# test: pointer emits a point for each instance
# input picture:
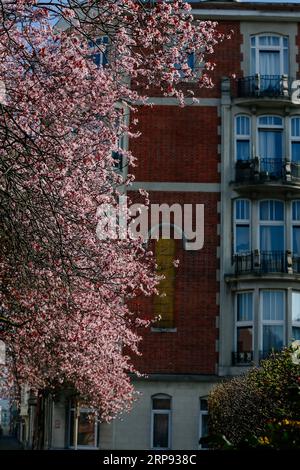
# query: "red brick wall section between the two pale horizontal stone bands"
(177, 144)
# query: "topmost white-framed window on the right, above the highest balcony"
(269, 56)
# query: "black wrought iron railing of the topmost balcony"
(258, 85)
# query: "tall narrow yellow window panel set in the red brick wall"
(164, 301)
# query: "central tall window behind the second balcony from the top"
(270, 145)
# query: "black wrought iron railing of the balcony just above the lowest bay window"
(266, 262)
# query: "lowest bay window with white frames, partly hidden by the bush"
(258, 332)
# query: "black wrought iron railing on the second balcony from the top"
(261, 170)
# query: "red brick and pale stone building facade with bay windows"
(237, 151)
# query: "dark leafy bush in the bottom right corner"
(261, 407)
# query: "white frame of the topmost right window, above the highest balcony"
(257, 47)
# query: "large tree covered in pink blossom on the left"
(65, 317)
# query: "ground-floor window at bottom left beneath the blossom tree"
(87, 433)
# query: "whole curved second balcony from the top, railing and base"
(267, 172)
